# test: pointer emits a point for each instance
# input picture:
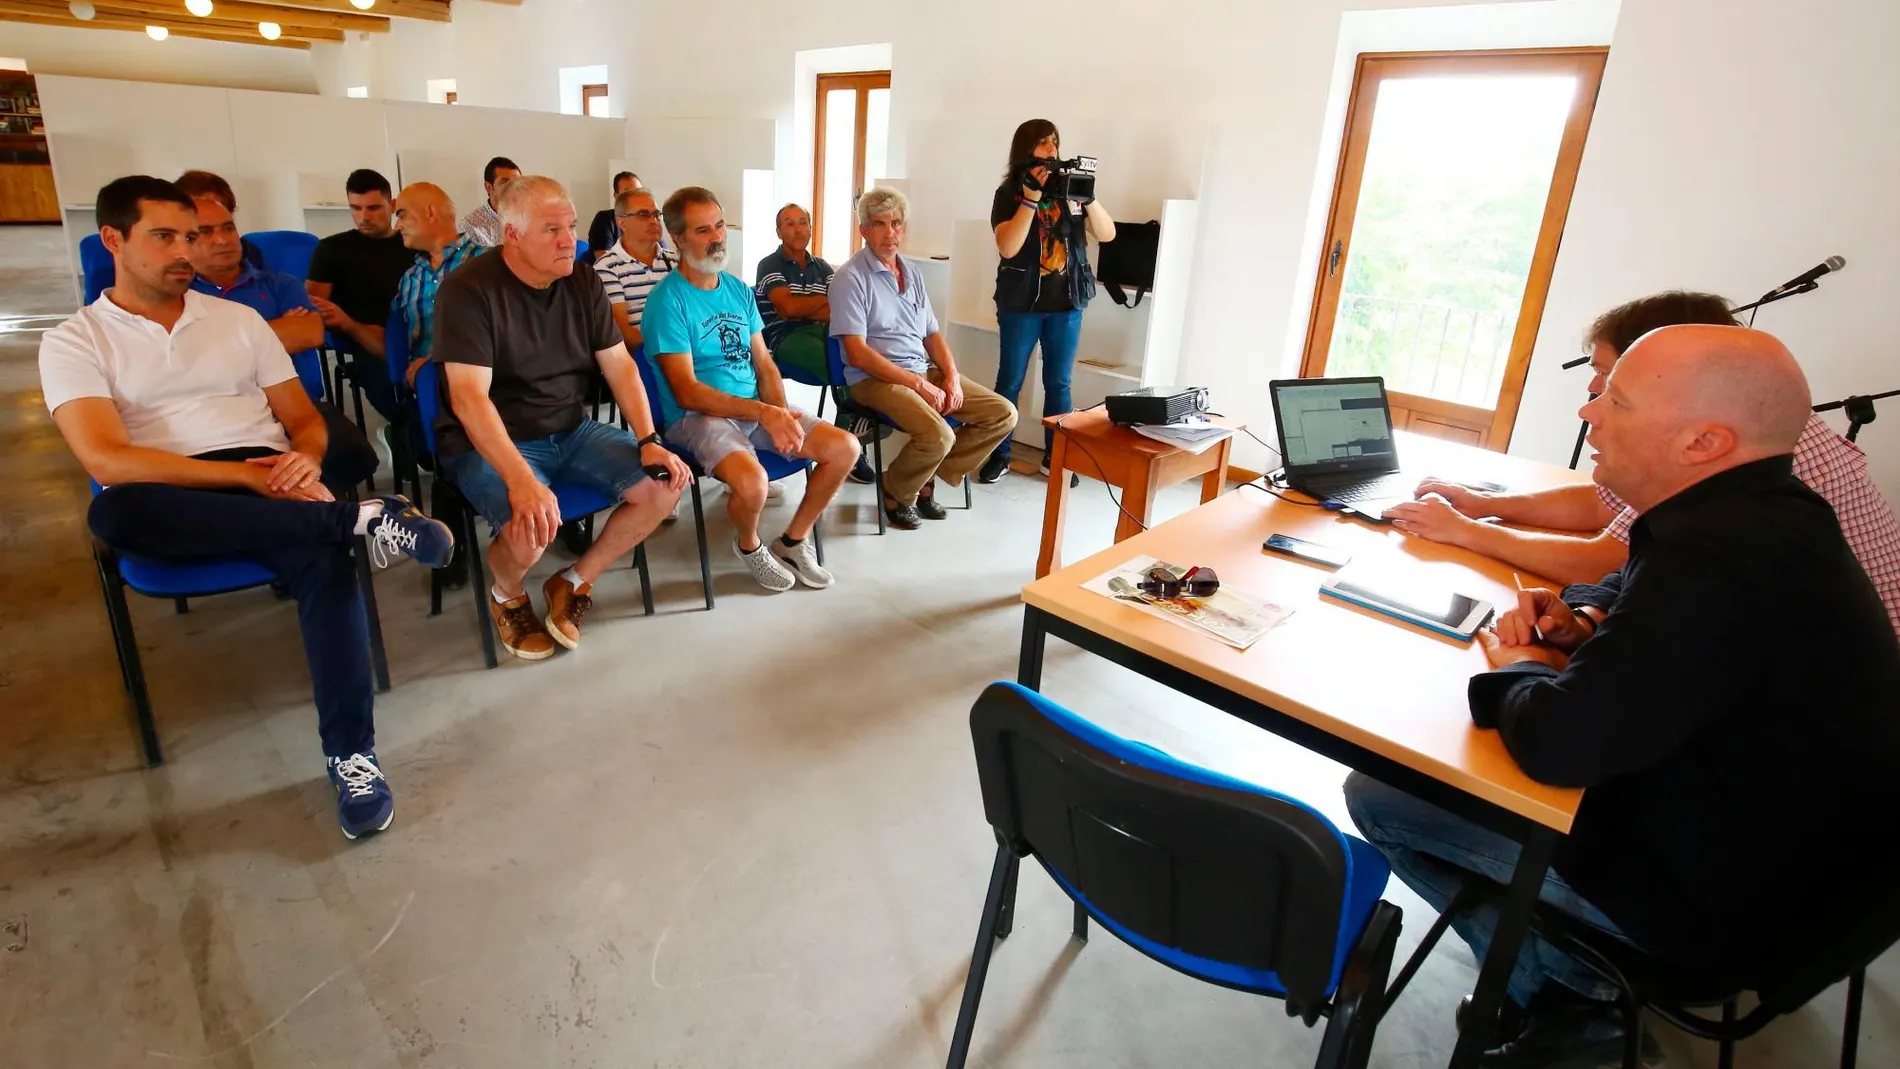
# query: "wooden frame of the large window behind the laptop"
(1587, 64)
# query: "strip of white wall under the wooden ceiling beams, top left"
(134, 56)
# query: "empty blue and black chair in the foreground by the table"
(1228, 882)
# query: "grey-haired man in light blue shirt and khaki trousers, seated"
(900, 366)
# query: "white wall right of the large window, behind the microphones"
(1736, 145)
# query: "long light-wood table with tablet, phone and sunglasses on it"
(1359, 688)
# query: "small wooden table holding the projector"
(1088, 443)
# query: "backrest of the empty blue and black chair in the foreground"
(1177, 853)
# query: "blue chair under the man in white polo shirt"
(181, 580)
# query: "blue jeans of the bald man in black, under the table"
(1437, 853)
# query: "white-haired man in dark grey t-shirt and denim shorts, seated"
(520, 333)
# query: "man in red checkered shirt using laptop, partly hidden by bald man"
(1833, 466)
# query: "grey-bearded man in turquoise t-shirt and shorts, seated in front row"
(723, 398)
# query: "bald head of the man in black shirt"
(1692, 402)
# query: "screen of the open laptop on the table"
(1335, 424)
